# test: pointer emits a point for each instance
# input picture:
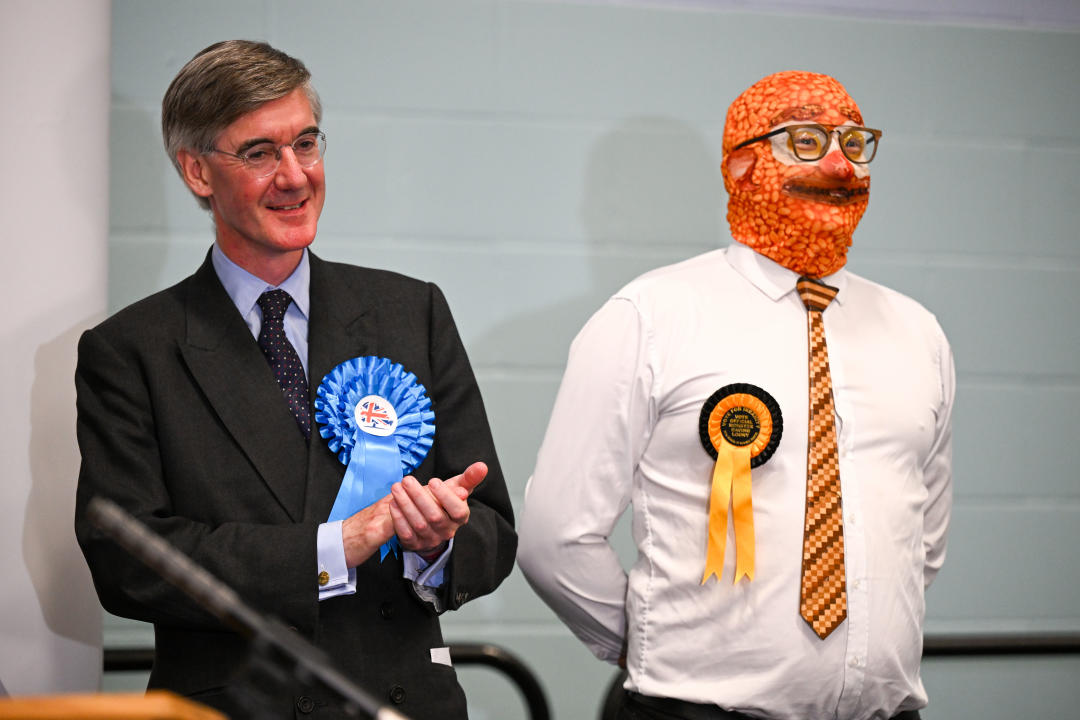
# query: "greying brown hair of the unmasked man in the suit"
(222, 84)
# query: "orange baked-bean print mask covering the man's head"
(799, 214)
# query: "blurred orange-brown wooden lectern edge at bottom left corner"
(153, 705)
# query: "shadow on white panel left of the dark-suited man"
(57, 567)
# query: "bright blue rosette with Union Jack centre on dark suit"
(379, 420)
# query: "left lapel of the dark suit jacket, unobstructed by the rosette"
(226, 362)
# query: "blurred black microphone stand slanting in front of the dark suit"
(279, 650)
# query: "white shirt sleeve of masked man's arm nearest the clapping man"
(584, 479)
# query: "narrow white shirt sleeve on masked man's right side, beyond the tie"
(938, 472)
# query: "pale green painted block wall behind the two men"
(533, 157)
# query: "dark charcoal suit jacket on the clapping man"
(182, 423)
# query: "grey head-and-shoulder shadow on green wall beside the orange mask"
(653, 196)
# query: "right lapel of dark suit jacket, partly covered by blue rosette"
(343, 327)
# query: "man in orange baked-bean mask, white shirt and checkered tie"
(782, 429)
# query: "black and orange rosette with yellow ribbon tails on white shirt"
(740, 428)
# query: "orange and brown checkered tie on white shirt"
(823, 596)
